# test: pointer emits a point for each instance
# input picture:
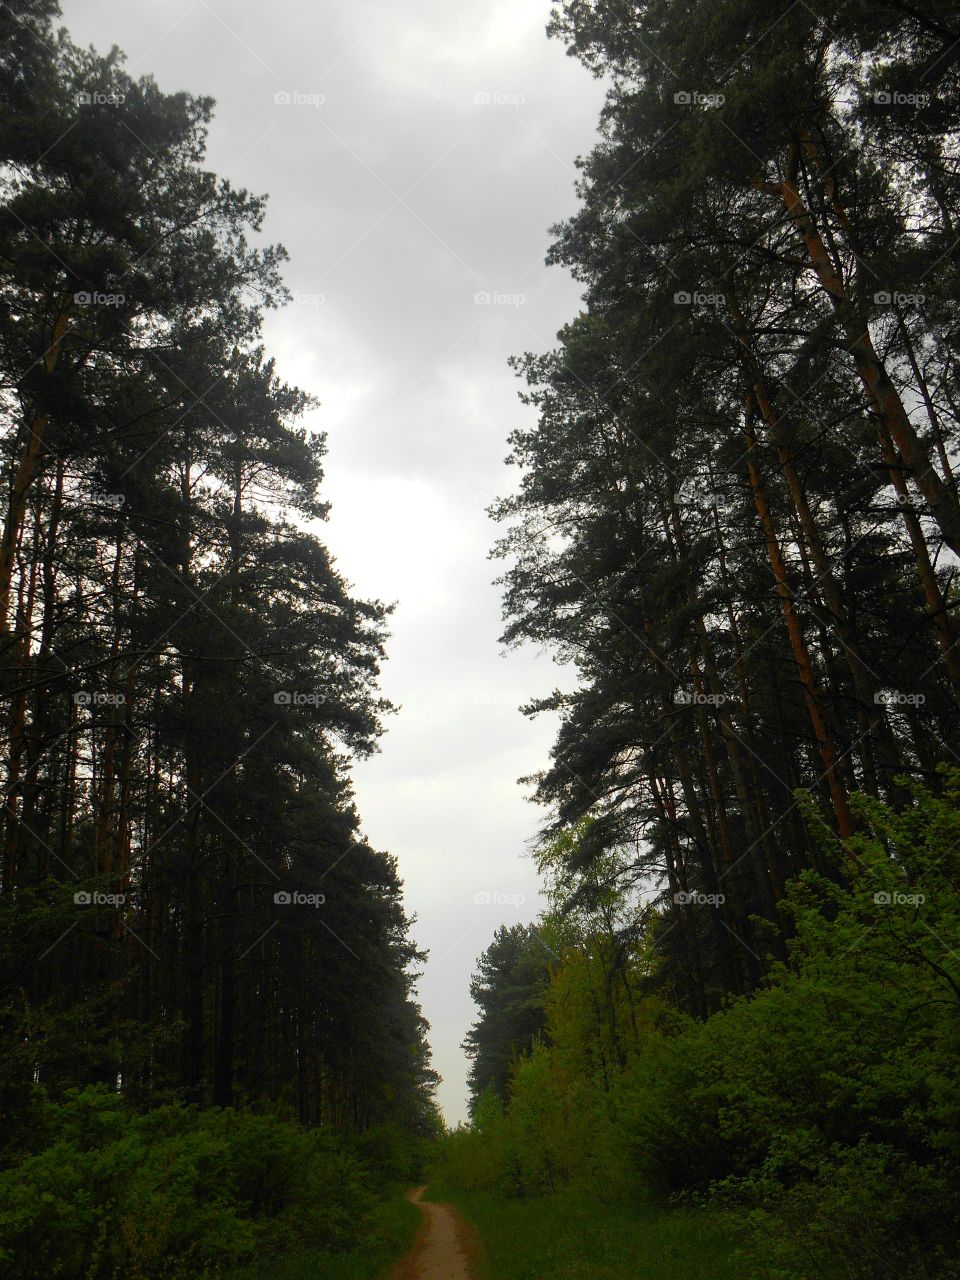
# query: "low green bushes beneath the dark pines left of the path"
(175, 1194)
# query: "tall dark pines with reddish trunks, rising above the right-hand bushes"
(739, 509)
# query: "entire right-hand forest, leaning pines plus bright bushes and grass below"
(737, 523)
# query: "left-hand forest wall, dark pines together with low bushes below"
(209, 1031)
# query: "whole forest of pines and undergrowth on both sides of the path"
(728, 1046)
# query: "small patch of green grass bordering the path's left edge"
(392, 1228)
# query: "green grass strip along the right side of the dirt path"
(565, 1237)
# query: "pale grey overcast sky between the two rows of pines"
(426, 150)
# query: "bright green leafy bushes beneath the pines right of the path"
(820, 1113)
